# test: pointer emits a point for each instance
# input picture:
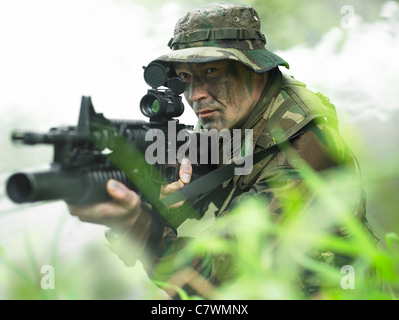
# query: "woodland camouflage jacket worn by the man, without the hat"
(285, 108)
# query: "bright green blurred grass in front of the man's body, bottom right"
(277, 258)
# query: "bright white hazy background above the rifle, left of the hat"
(54, 51)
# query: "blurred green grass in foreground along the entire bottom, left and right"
(271, 254)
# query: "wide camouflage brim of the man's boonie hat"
(259, 60)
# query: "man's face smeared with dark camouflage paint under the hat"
(222, 93)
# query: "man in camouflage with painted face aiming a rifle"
(232, 82)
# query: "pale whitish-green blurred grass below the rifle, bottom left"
(93, 272)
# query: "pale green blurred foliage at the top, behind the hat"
(289, 23)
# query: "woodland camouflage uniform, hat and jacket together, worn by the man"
(230, 31)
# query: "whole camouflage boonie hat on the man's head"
(221, 31)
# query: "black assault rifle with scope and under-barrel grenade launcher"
(86, 156)
